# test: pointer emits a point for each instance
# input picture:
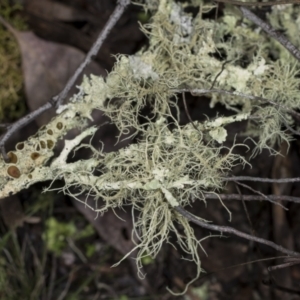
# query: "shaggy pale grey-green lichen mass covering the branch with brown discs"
(170, 164)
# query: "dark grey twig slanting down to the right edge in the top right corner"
(271, 31)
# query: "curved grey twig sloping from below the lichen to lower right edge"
(227, 229)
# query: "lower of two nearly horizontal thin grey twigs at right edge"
(250, 197)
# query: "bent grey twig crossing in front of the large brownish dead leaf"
(58, 99)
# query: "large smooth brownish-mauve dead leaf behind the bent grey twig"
(47, 66)
